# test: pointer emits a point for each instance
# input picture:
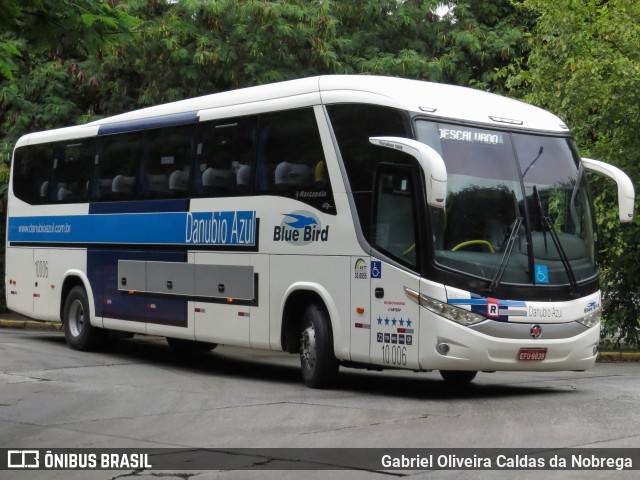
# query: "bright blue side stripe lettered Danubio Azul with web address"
(226, 228)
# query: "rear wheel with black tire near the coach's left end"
(76, 316)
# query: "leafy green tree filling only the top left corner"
(40, 42)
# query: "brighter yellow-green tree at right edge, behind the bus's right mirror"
(584, 65)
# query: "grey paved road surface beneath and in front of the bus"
(141, 395)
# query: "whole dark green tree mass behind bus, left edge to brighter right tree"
(67, 61)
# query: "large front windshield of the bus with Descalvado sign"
(518, 209)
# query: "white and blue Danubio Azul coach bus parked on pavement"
(356, 220)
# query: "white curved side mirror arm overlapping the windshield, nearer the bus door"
(432, 164)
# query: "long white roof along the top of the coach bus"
(441, 101)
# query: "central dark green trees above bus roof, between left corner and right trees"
(192, 47)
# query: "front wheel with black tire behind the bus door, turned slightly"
(317, 358)
